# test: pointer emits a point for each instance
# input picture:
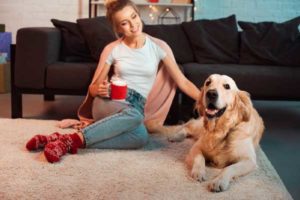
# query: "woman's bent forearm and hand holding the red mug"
(101, 85)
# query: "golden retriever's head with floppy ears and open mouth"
(220, 94)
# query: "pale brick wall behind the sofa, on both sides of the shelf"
(16, 14)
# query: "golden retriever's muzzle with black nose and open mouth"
(211, 110)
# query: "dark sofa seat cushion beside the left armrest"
(72, 76)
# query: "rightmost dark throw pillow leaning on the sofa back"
(270, 43)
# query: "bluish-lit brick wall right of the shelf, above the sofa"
(248, 10)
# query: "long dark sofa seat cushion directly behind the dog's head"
(261, 81)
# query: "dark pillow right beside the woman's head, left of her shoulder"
(97, 33)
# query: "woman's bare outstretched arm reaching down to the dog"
(182, 82)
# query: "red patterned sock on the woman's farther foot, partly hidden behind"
(39, 141)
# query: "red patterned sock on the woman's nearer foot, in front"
(66, 143)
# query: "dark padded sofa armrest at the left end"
(36, 48)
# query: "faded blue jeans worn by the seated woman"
(122, 130)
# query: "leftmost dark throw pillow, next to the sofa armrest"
(73, 48)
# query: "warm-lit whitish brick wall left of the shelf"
(16, 14)
